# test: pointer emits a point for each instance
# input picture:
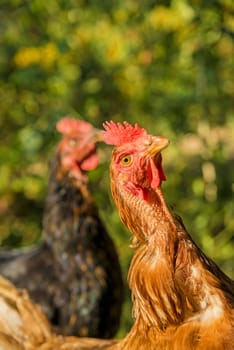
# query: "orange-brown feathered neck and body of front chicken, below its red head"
(181, 299)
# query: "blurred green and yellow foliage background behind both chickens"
(167, 65)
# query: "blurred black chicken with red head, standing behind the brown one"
(75, 273)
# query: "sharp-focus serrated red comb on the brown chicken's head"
(117, 134)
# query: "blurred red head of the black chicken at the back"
(77, 149)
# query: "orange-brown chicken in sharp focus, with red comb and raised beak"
(181, 299)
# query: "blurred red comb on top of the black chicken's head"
(68, 125)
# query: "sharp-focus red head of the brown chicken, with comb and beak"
(136, 161)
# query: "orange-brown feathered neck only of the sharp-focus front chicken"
(155, 298)
